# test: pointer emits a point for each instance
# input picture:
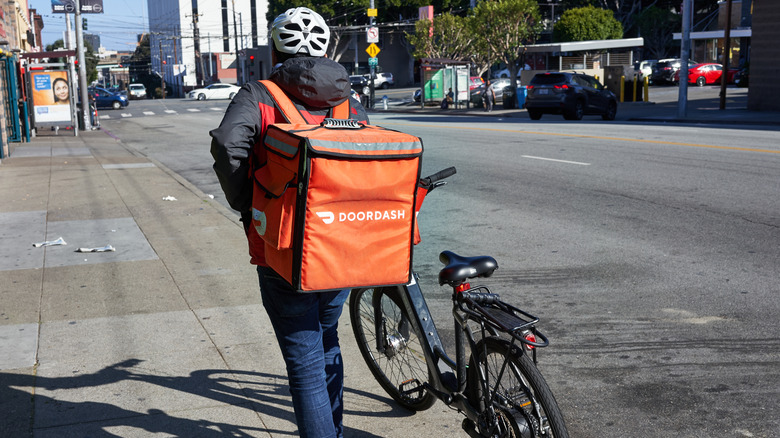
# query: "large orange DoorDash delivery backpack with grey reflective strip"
(335, 203)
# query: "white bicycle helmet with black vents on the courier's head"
(300, 30)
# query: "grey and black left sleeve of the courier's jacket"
(231, 147)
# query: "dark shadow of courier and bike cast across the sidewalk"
(29, 405)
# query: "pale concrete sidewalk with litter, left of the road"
(167, 334)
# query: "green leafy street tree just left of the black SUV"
(504, 27)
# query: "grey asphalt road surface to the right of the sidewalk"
(649, 252)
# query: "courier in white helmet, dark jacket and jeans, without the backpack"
(305, 323)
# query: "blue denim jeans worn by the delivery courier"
(306, 328)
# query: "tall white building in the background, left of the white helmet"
(197, 42)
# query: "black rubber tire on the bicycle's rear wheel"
(520, 372)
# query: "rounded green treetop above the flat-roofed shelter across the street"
(586, 24)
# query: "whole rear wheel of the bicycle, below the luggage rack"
(523, 405)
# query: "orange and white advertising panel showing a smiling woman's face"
(51, 96)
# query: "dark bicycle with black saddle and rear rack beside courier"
(499, 390)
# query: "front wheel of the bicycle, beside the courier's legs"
(403, 369)
